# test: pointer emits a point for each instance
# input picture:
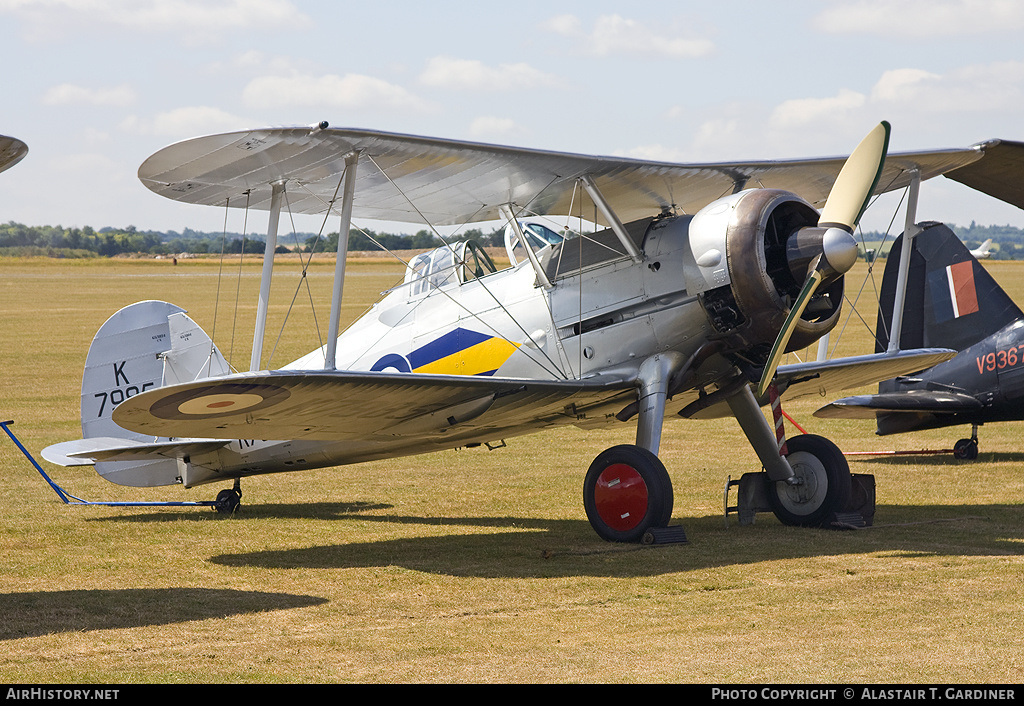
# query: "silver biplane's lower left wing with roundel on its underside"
(359, 406)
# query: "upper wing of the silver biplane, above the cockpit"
(453, 182)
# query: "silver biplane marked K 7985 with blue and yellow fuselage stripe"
(680, 305)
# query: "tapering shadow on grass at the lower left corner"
(41, 613)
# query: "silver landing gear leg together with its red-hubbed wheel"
(628, 490)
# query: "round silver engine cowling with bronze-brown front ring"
(754, 251)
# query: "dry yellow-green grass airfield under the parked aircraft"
(477, 566)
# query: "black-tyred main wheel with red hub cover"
(627, 492)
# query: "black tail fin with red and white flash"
(952, 302)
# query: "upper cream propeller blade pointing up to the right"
(857, 181)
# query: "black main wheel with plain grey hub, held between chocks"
(825, 483)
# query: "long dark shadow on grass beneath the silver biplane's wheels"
(563, 549)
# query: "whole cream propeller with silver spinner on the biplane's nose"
(840, 217)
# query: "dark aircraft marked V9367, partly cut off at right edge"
(952, 302)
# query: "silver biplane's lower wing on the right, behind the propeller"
(828, 378)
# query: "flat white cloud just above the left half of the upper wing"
(349, 92)
